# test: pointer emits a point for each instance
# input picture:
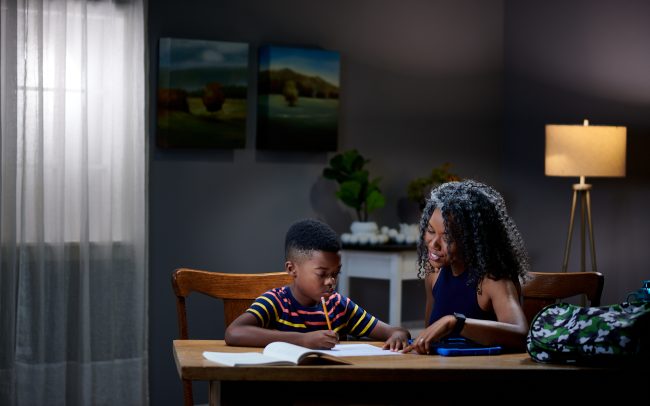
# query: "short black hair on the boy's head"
(305, 236)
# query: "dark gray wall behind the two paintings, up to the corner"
(421, 84)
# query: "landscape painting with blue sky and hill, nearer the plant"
(298, 99)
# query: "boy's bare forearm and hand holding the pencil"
(245, 331)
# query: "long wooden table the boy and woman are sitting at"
(403, 379)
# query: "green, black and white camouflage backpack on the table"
(566, 333)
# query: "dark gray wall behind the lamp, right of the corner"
(566, 61)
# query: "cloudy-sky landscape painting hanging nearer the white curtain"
(202, 90)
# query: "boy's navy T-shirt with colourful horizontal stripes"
(277, 309)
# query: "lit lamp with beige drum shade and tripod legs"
(584, 150)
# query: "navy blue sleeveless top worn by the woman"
(453, 294)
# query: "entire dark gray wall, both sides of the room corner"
(423, 82)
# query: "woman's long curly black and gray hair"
(475, 218)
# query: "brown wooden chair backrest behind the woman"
(544, 288)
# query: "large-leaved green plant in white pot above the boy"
(356, 190)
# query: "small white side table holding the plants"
(395, 265)
